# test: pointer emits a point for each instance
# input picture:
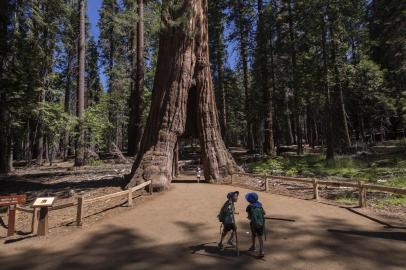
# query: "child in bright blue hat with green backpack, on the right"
(256, 215)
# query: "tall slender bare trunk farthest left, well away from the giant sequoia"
(80, 140)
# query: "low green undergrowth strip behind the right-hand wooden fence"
(383, 169)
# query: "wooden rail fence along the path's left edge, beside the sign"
(82, 202)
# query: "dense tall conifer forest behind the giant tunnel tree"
(309, 74)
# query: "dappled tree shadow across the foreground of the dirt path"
(324, 244)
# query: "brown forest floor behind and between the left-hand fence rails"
(65, 183)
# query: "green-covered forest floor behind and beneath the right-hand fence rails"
(382, 164)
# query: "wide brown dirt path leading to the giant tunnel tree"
(178, 230)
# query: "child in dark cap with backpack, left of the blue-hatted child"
(226, 217)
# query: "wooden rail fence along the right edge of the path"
(360, 185)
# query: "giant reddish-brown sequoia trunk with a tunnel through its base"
(183, 73)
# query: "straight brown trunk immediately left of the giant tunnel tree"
(137, 84)
